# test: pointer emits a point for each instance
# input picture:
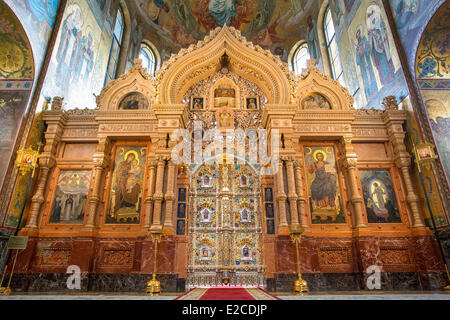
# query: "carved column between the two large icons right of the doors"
(349, 162)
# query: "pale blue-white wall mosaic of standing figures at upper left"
(79, 60)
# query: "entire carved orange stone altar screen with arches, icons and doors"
(107, 179)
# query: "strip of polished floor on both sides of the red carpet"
(361, 295)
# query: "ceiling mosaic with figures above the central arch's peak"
(273, 24)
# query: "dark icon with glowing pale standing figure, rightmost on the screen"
(379, 196)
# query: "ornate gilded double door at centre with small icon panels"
(225, 234)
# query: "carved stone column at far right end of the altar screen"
(394, 120)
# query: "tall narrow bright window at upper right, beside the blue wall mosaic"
(332, 48)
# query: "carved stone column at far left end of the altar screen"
(55, 120)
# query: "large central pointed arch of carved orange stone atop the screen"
(203, 59)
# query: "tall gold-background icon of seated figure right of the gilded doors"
(323, 185)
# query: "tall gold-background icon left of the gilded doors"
(127, 185)
